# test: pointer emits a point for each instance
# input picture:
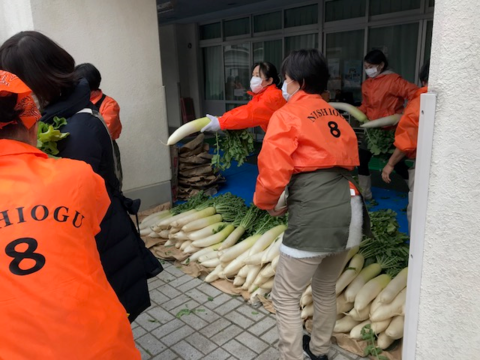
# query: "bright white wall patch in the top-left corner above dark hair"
(15, 16)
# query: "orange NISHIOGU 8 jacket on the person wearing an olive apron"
(305, 135)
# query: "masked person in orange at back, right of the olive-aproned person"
(384, 94)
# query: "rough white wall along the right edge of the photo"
(449, 316)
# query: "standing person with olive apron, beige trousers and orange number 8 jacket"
(311, 148)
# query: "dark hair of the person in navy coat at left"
(44, 66)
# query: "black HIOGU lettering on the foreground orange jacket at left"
(39, 213)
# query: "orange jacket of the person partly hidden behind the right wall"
(407, 128)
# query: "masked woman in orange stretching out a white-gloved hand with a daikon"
(267, 98)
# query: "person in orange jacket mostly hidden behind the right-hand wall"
(406, 139)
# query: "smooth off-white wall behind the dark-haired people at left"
(120, 37)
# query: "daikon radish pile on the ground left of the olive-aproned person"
(240, 244)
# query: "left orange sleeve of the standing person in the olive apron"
(275, 163)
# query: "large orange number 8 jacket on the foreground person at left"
(55, 300)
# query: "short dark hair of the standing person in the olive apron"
(309, 68)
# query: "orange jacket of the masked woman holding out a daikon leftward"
(256, 113)
